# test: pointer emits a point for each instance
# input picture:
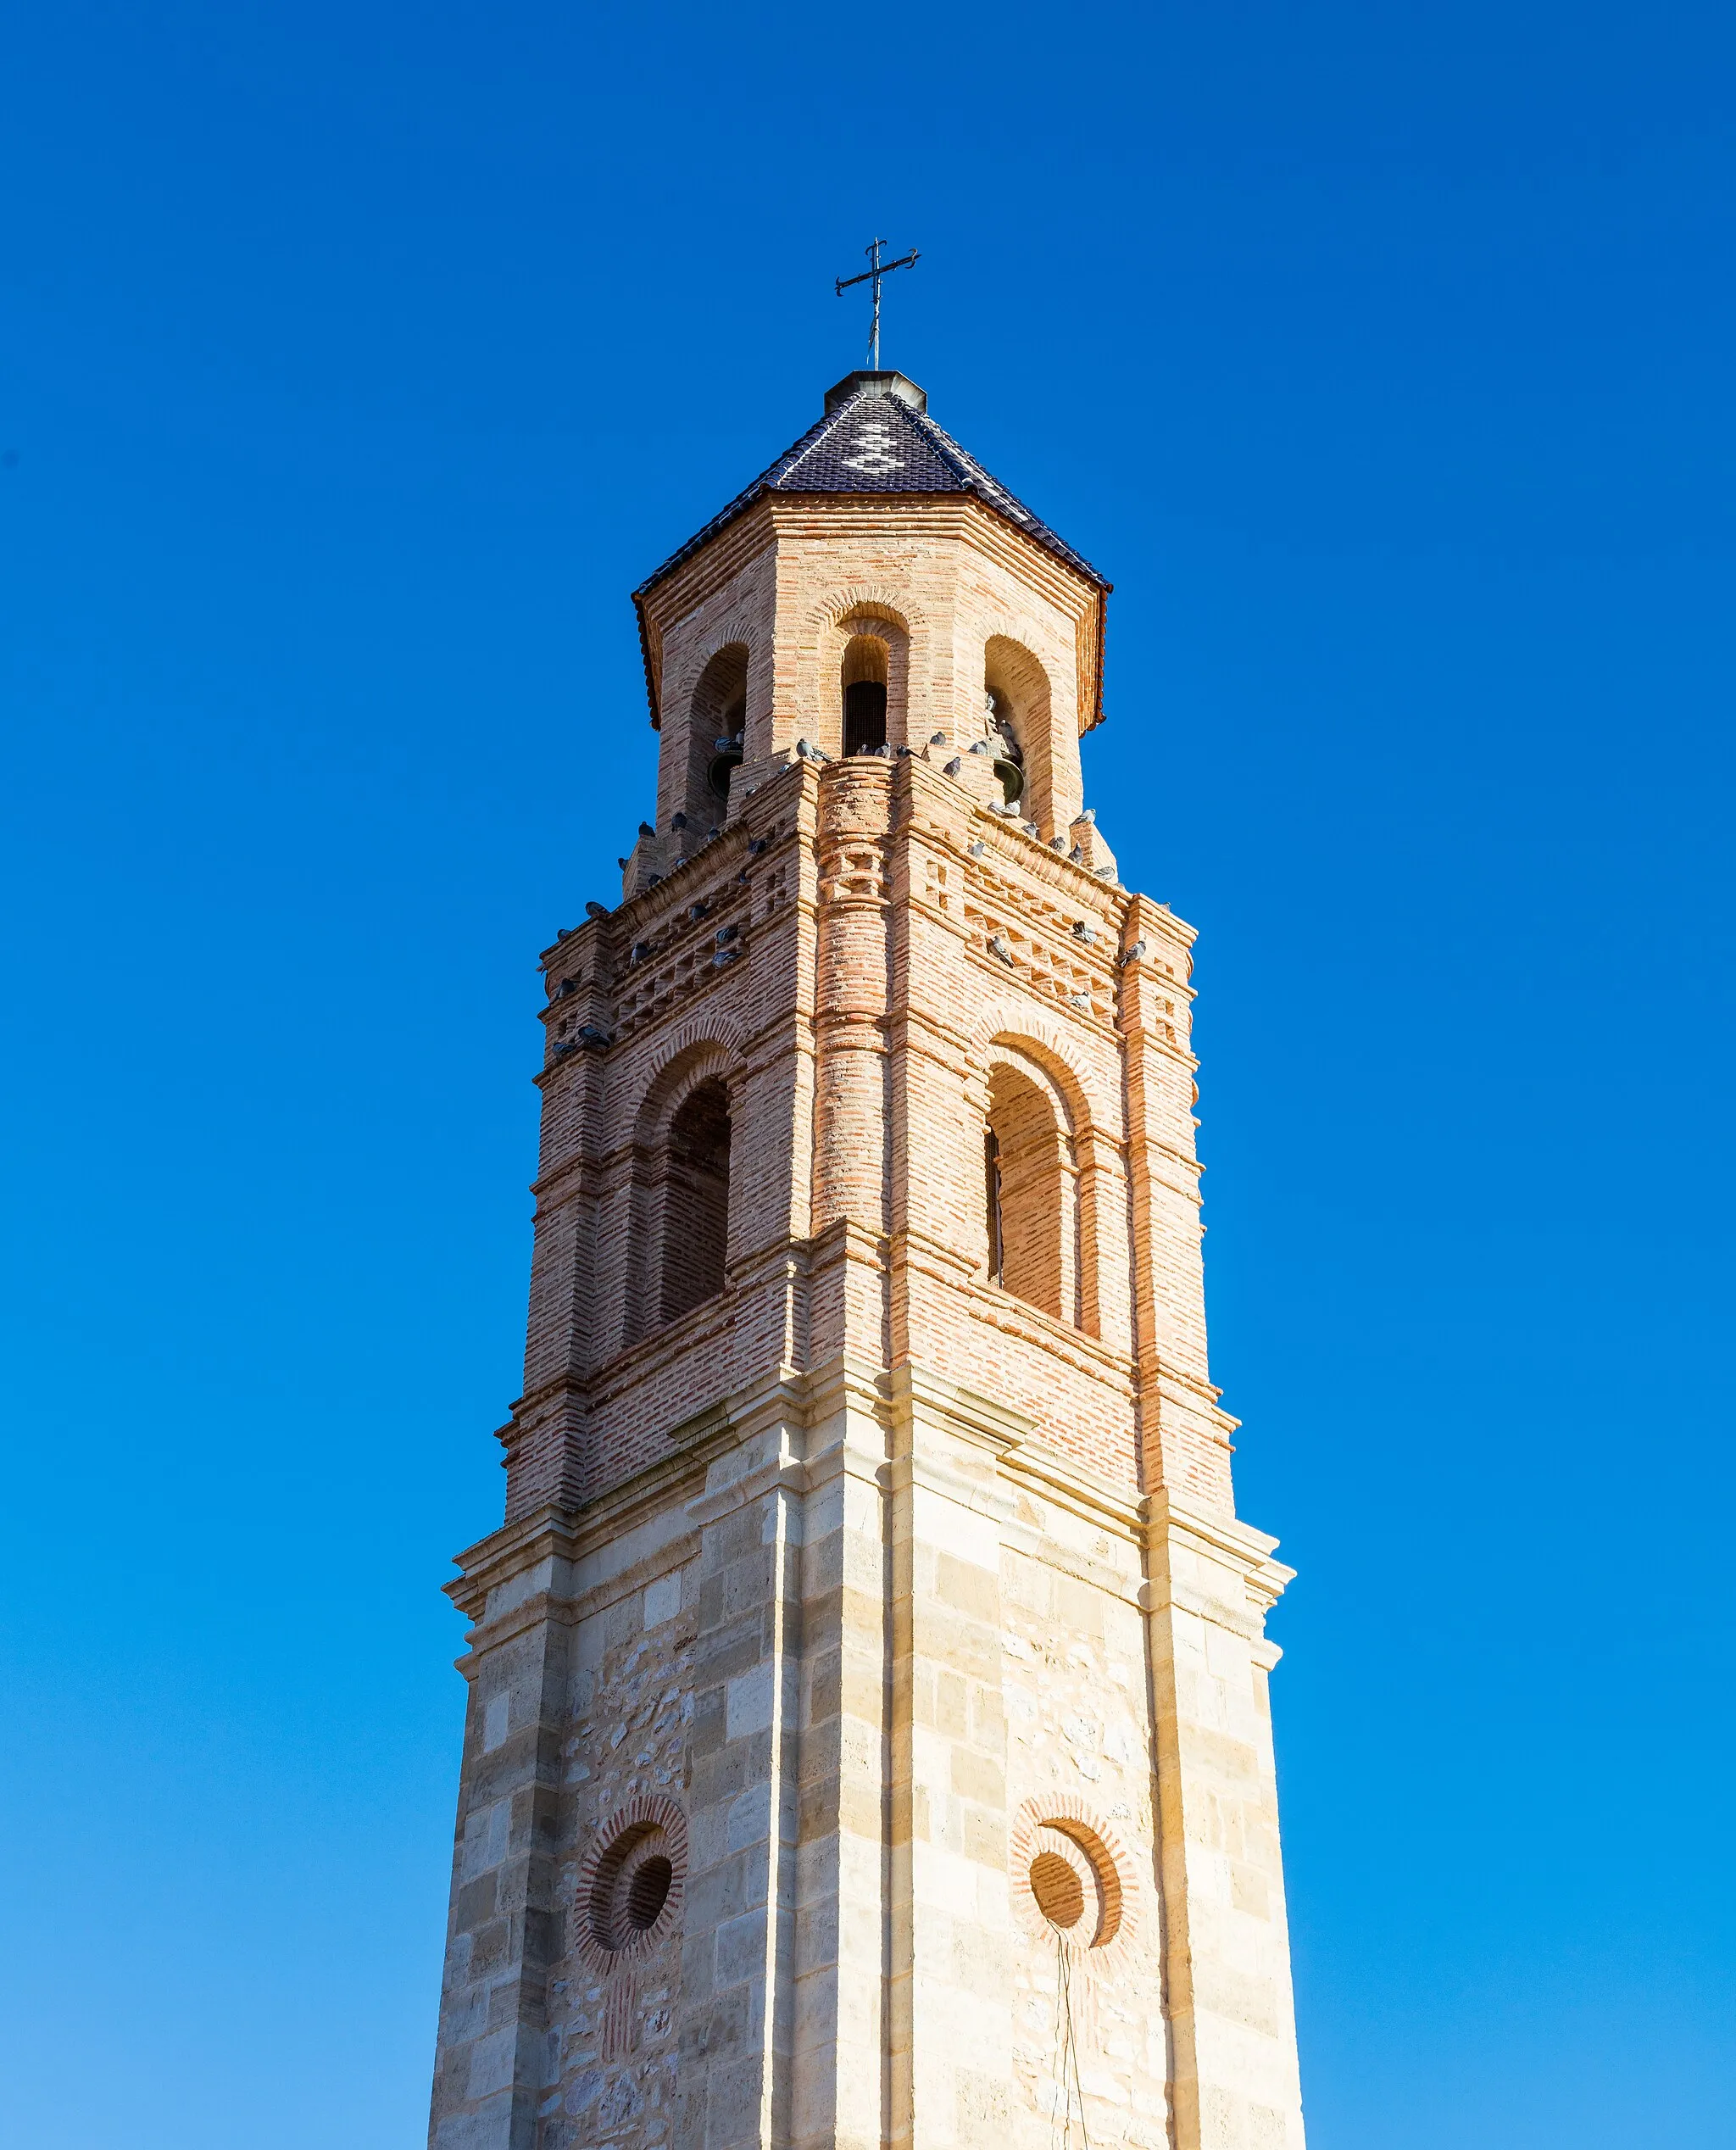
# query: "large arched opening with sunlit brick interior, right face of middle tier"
(1028, 1188)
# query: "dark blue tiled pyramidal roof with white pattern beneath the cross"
(878, 438)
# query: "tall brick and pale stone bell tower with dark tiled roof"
(869, 1734)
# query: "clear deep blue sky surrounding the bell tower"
(353, 367)
